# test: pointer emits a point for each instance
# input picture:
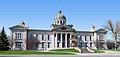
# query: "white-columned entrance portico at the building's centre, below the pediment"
(62, 40)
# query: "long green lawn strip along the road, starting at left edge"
(32, 52)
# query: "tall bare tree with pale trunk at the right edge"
(114, 28)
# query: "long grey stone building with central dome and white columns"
(60, 35)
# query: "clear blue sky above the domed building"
(39, 14)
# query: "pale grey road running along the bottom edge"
(82, 55)
